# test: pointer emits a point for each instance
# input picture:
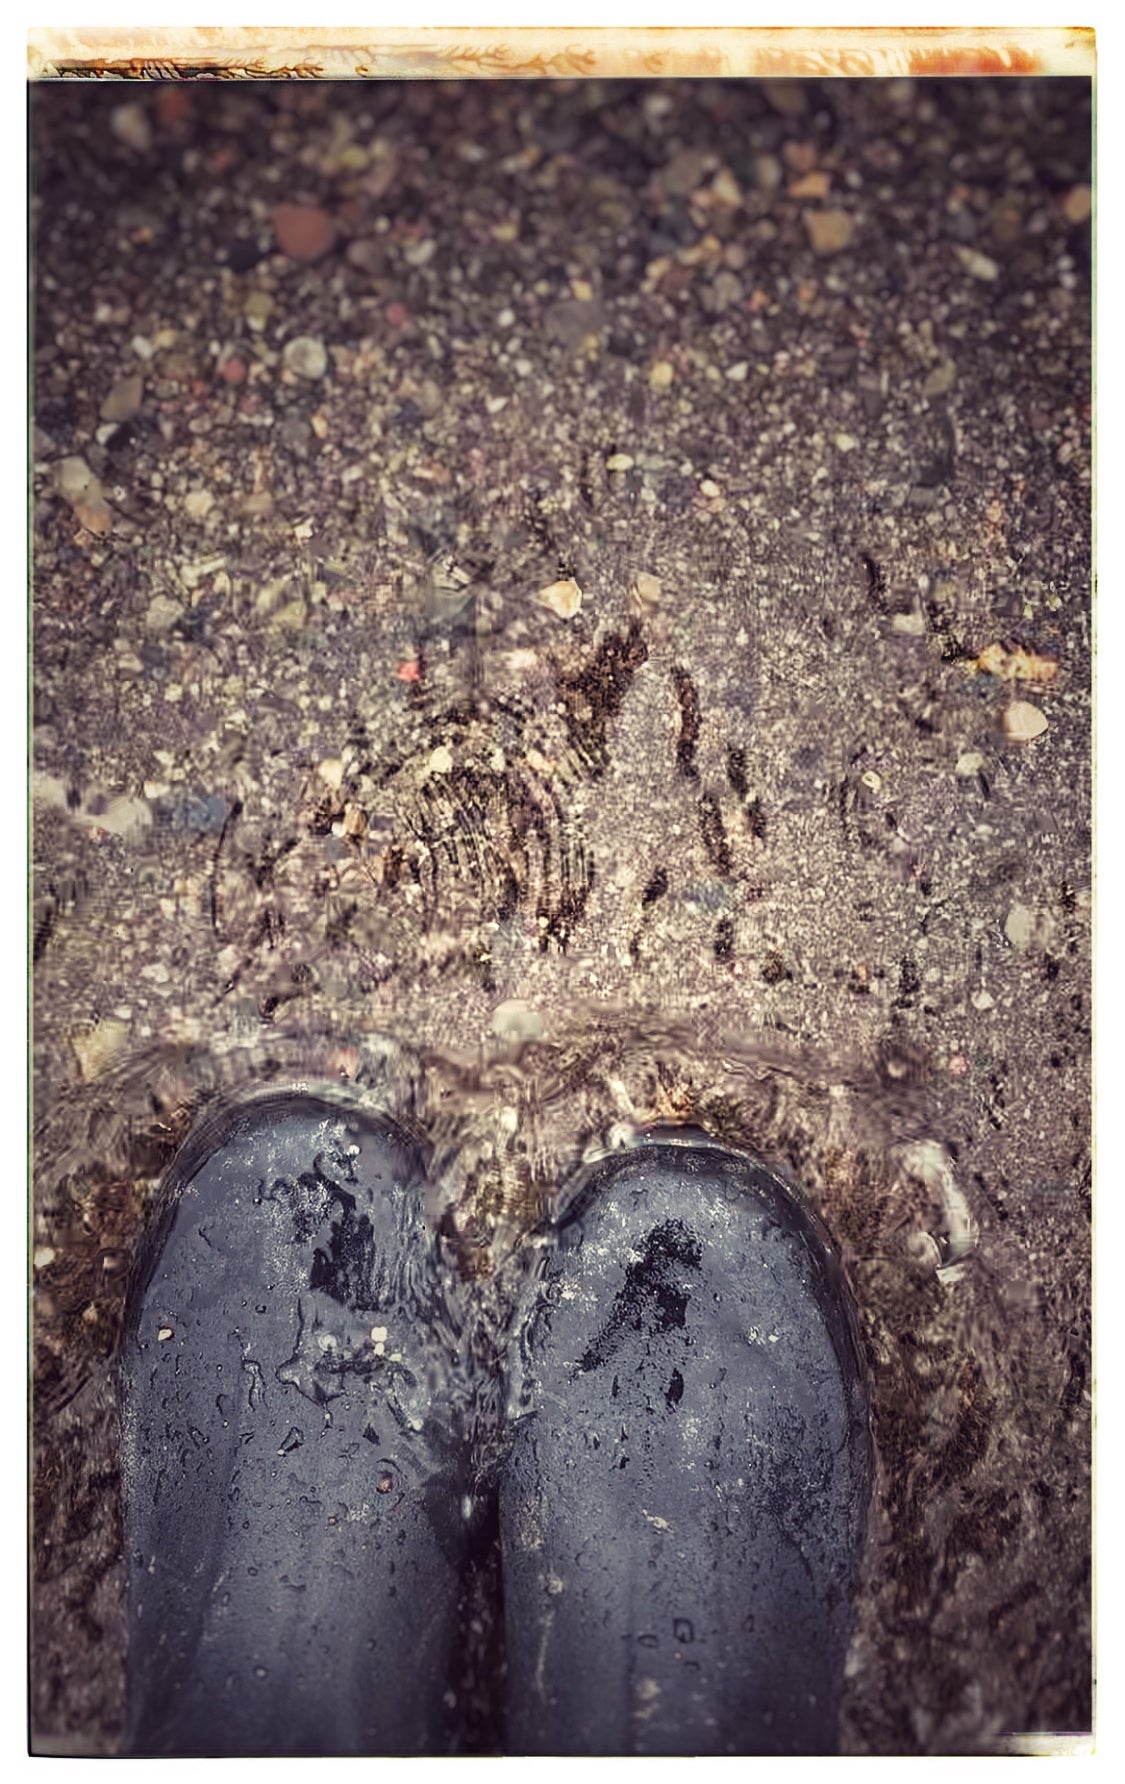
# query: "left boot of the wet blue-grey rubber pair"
(290, 1453)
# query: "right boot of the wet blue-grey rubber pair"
(686, 1503)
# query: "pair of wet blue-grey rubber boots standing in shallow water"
(677, 1457)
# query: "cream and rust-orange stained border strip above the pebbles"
(265, 53)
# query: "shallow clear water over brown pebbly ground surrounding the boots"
(709, 852)
